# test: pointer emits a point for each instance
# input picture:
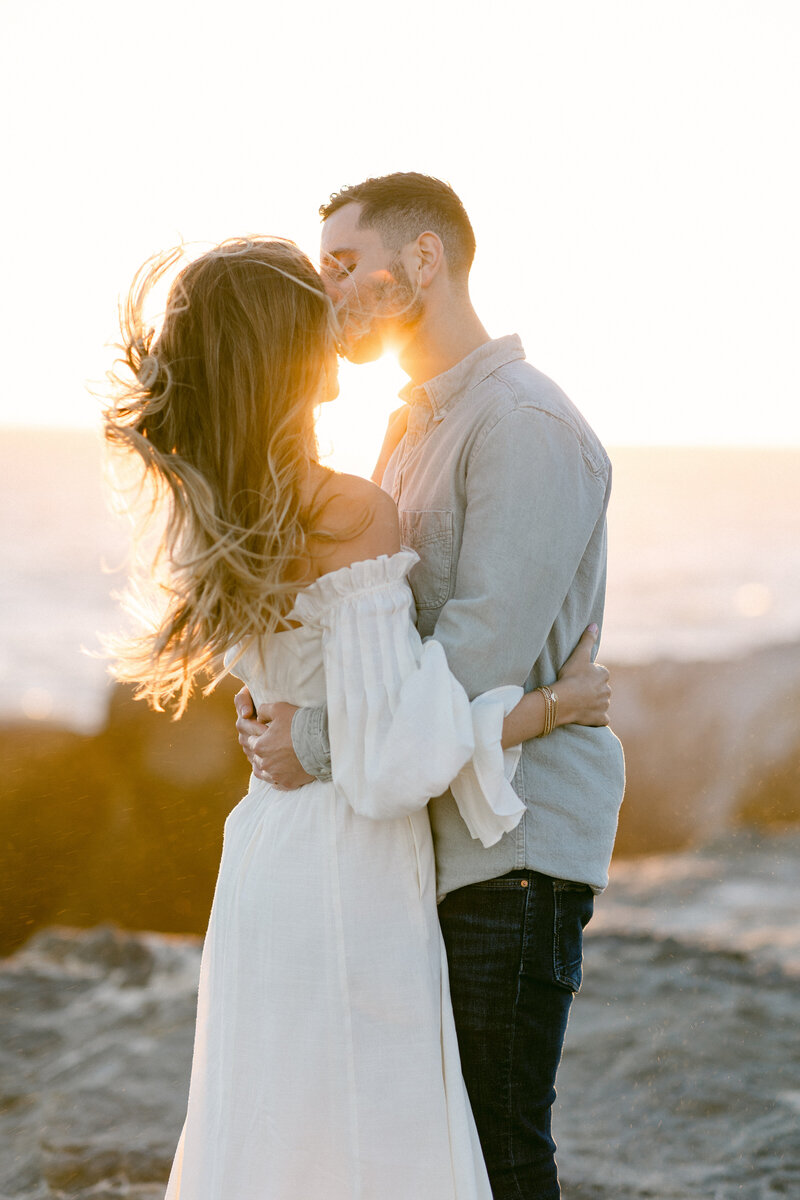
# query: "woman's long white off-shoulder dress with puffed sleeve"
(326, 1058)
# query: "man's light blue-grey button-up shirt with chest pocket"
(503, 490)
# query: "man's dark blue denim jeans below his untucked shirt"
(515, 953)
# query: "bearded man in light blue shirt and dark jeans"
(503, 491)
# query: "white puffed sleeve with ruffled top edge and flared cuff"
(401, 725)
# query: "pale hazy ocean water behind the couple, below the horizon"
(705, 563)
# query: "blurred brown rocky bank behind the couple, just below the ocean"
(128, 826)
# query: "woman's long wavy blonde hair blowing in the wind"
(219, 407)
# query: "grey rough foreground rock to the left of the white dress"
(97, 1082)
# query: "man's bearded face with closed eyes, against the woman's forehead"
(370, 286)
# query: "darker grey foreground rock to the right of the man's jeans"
(678, 1079)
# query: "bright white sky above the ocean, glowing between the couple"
(630, 169)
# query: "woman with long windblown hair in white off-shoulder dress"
(326, 1059)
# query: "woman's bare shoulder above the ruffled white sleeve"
(357, 521)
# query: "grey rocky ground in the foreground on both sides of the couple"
(679, 1077)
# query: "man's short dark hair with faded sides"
(406, 205)
